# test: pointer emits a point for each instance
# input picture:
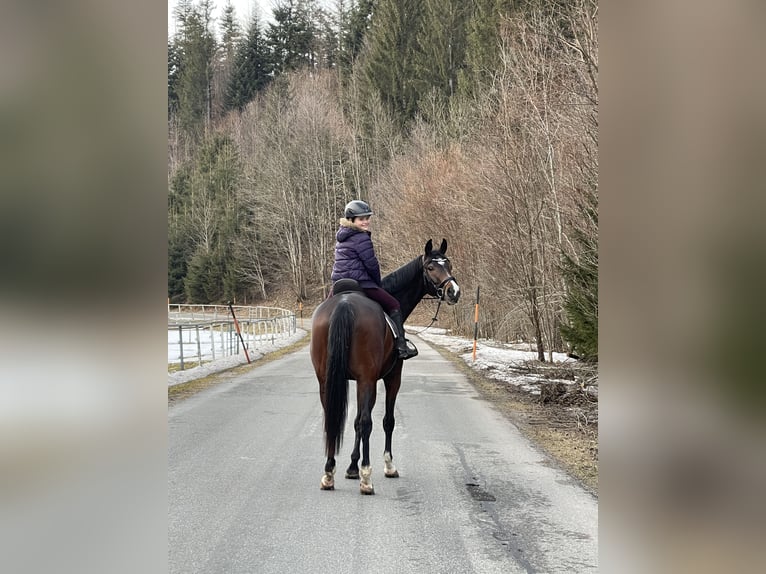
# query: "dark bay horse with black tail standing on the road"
(350, 339)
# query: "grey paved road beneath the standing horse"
(245, 460)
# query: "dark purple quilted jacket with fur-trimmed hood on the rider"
(355, 256)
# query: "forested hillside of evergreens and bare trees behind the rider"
(470, 120)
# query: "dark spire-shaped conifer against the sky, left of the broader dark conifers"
(251, 71)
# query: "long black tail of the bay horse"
(338, 346)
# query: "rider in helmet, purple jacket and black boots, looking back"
(355, 259)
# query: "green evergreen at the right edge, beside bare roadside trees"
(581, 277)
